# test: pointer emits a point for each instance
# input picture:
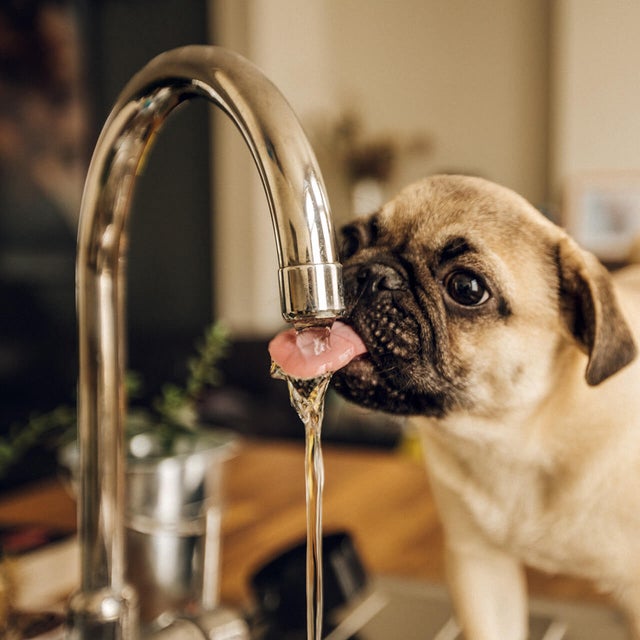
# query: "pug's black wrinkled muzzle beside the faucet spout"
(399, 372)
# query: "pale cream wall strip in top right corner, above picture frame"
(596, 107)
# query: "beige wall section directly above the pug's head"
(473, 75)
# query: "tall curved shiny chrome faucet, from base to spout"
(105, 606)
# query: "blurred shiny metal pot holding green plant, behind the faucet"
(173, 520)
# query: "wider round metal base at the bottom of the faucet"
(103, 615)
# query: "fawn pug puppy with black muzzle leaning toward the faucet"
(514, 352)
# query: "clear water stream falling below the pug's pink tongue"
(307, 398)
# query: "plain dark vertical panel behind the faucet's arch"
(169, 285)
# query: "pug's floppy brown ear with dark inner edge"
(591, 311)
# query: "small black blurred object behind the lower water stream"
(280, 586)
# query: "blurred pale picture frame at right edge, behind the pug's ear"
(602, 213)
